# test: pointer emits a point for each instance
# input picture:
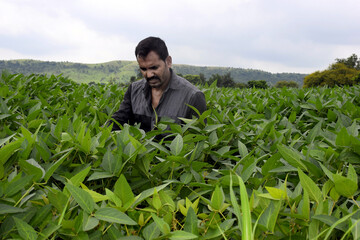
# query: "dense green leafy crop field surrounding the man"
(266, 164)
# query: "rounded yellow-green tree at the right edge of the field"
(338, 74)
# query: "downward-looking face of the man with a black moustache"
(155, 71)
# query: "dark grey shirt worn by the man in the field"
(136, 106)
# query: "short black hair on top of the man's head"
(149, 44)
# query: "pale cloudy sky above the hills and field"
(276, 36)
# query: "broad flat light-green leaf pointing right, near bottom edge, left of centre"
(113, 215)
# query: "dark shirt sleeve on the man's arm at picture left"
(125, 113)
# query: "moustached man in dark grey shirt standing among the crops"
(160, 93)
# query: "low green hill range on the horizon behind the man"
(122, 71)
